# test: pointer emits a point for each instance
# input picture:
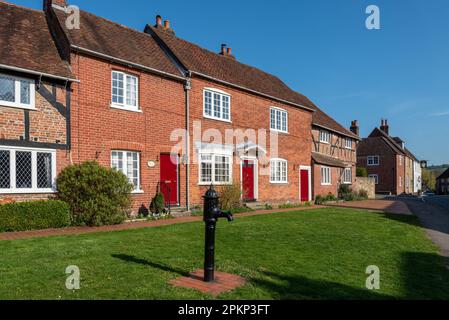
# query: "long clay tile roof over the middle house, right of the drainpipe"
(205, 62)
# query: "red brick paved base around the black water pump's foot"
(224, 282)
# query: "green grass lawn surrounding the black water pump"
(315, 254)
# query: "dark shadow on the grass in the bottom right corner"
(425, 276)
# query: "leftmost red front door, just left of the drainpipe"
(169, 178)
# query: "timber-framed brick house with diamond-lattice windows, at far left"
(35, 100)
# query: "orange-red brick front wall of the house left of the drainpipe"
(97, 128)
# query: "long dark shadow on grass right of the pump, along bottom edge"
(285, 287)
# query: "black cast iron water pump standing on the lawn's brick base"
(212, 213)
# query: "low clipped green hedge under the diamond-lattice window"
(34, 215)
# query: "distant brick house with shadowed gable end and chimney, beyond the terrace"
(395, 169)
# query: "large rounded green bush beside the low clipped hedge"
(97, 195)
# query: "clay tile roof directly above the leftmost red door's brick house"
(115, 40)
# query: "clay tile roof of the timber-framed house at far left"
(26, 42)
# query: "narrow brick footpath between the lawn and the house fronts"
(130, 225)
